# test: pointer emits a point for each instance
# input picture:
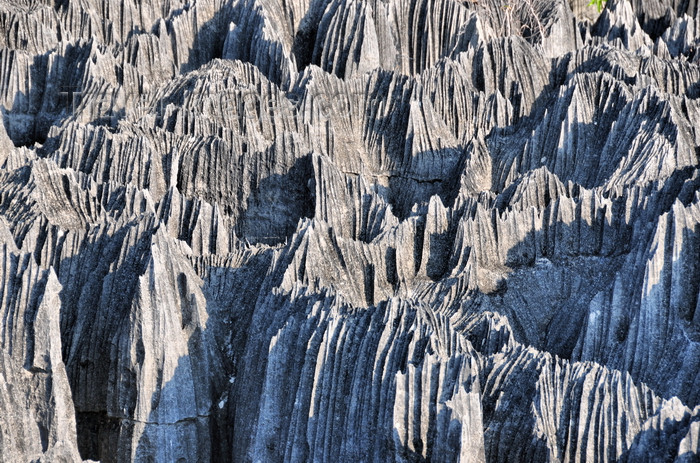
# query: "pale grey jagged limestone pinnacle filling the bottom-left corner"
(36, 407)
